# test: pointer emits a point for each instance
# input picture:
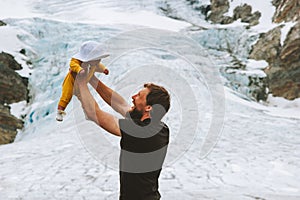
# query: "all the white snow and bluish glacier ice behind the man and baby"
(256, 154)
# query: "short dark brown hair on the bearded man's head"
(157, 95)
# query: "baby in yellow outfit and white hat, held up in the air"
(88, 58)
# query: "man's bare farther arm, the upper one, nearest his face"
(112, 98)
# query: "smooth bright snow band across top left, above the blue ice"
(90, 13)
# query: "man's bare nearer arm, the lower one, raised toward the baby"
(93, 112)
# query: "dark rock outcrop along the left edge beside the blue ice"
(13, 88)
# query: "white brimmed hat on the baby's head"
(90, 50)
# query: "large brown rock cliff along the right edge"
(284, 60)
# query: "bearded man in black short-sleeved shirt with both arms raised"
(144, 138)
